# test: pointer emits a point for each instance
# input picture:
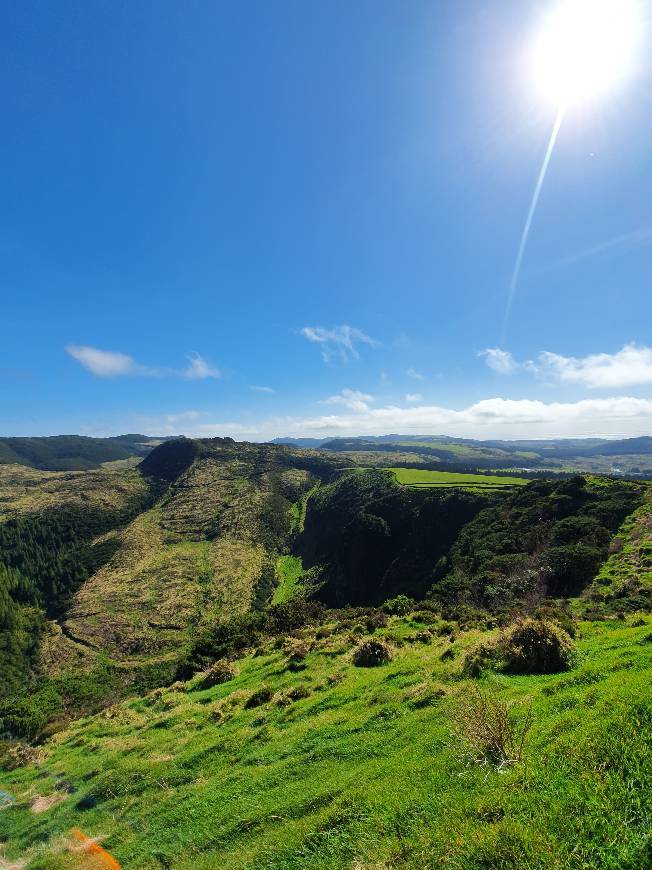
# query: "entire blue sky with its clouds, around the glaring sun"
(299, 217)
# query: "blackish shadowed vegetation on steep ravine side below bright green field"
(374, 539)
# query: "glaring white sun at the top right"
(585, 48)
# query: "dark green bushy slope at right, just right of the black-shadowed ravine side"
(546, 539)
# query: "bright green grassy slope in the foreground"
(364, 772)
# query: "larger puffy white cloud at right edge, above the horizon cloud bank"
(630, 366)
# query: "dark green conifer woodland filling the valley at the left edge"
(44, 558)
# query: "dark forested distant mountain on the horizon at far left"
(73, 452)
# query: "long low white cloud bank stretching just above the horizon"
(620, 416)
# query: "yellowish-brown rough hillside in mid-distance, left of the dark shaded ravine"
(201, 551)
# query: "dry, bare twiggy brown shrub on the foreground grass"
(491, 728)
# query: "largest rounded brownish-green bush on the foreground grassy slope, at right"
(536, 646)
